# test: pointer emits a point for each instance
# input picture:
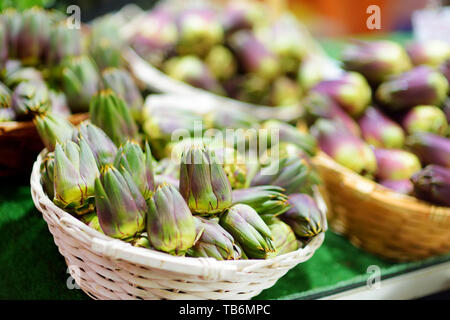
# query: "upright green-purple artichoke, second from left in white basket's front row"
(121, 208)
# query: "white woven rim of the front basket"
(118, 249)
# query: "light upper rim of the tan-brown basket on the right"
(377, 190)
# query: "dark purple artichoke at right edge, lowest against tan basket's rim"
(433, 184)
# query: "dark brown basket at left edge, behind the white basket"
(20, 144)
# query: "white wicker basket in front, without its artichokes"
(107, 268)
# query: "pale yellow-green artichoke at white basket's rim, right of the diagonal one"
(284, 237)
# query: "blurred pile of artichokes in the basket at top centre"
(240, 50)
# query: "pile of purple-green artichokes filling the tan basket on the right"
(387, 116)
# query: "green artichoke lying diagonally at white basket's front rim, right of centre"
(249, 230)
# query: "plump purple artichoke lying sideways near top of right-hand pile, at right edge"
(419, 86)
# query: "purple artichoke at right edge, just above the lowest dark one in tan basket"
(430, 148)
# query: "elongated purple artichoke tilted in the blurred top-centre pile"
(254, 56)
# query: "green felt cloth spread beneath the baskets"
(32, 268)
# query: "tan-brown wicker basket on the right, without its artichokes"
(381, 221)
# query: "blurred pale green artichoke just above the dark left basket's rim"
(30, 98)
